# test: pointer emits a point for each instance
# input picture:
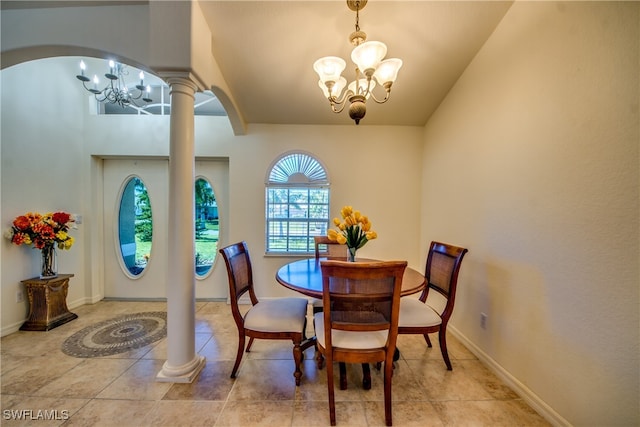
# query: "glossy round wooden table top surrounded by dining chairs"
(305, 276)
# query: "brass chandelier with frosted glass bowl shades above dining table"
(368, 57)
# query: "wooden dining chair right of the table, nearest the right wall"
(441, 274)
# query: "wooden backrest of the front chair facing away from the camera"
(362, 296)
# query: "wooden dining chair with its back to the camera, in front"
(359, 323)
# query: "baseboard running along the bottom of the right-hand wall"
(533, 400)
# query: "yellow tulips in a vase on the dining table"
(354, 231)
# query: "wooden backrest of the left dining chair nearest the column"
(236, 258)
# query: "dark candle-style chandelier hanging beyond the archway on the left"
(117, 91)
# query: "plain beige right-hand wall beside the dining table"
(532, 163)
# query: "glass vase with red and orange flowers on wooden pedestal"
(44, 232)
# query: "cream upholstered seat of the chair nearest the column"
(277, 315)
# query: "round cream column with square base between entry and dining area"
(183, 364)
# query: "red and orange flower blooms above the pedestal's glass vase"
(39, 230)
